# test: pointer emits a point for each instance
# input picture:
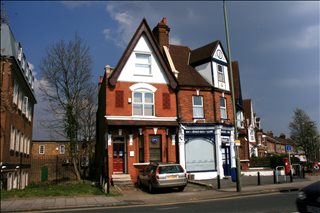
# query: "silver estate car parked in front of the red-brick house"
(163, 175)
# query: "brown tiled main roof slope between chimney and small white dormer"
(188, 76)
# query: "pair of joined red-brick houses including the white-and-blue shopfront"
(166, 103)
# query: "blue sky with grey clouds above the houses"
(276, 44)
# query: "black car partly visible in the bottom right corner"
(308, 199)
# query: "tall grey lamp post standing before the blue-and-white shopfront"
(233, 98)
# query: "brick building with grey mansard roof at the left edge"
(17, 106)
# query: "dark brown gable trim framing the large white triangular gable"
(145, 30)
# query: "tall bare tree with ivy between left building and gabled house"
(67, 86)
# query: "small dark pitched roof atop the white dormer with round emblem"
(204, 54)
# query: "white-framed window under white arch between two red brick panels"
(143, 104)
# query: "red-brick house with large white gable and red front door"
(137, 114)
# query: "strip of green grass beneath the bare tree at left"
(62, 189)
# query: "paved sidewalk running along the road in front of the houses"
(130, 196)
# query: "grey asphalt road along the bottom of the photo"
(276, 202)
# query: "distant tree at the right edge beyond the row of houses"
(305, 134)
